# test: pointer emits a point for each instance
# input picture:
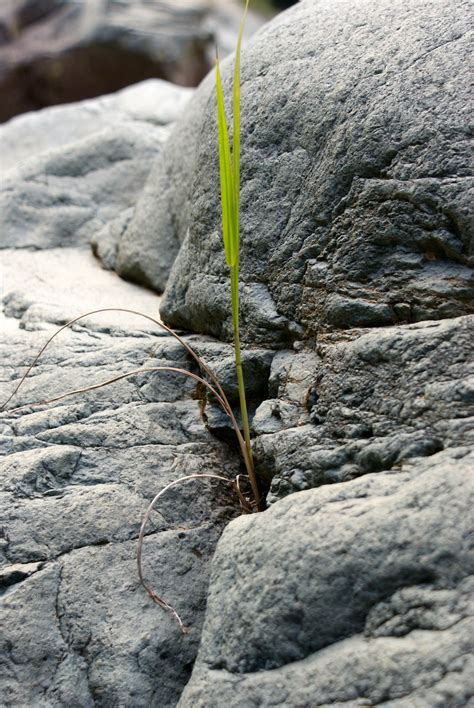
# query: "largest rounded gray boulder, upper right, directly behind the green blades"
(355, 177)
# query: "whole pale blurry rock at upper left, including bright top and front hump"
(71, 172)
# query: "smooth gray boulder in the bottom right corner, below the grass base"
(356, 594)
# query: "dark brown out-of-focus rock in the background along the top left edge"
(59, 51)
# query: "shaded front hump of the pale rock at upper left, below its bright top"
(65, 197)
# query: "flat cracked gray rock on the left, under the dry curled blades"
(76, 478)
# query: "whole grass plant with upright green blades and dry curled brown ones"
(229, 163)
